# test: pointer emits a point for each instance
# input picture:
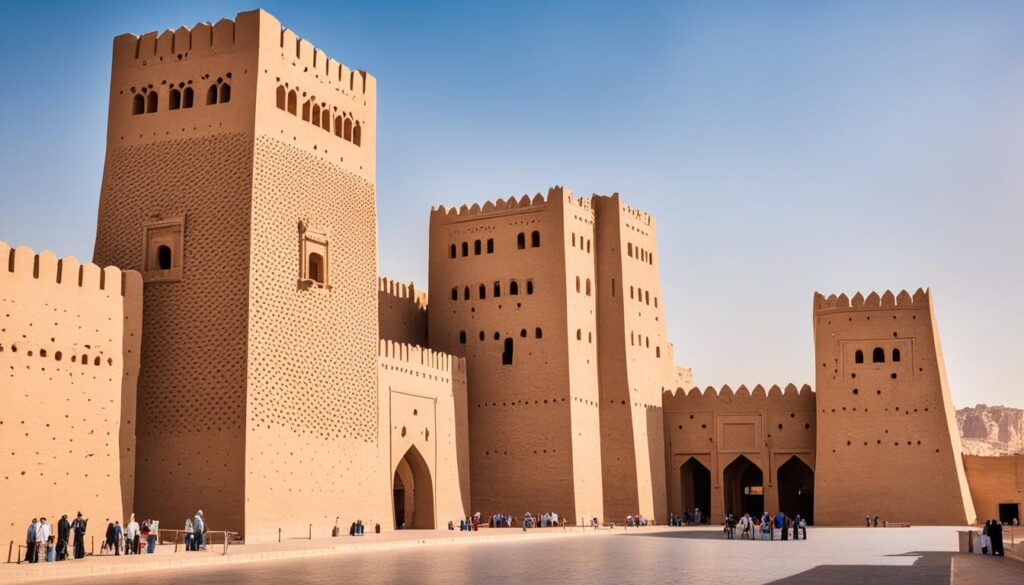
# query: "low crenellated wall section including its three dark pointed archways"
(721, 442)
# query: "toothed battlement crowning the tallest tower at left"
(245, 33)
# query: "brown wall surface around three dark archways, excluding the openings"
(716, 428)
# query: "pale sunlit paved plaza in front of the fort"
(926, 556)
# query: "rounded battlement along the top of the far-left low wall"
(24, 264)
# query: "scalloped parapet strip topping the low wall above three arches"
(759, 398)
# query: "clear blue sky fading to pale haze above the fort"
(784, 148)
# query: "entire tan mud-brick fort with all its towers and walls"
(240, 354)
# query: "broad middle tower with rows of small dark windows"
(550, 388)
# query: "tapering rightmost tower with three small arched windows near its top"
(885, 422)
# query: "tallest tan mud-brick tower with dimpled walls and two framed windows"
(240, 181)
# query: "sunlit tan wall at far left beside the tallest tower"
(70, 359)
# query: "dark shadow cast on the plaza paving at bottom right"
(930, 567)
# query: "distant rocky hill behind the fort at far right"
(992, 431)
